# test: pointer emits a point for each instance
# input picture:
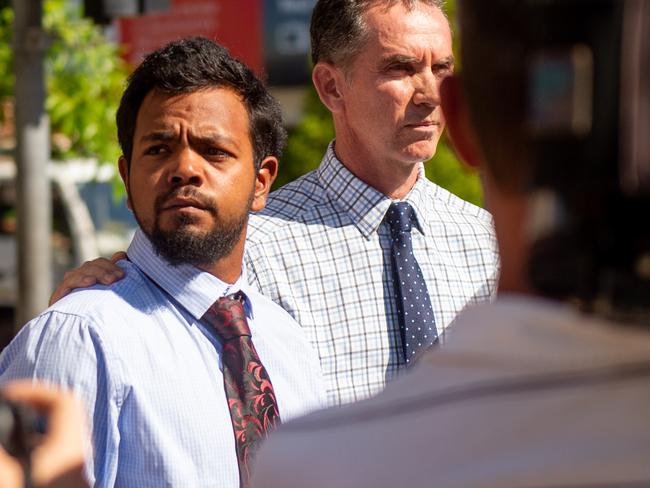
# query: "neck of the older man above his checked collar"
(395, 179)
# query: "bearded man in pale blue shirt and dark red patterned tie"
(182, 365)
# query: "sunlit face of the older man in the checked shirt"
(392, 98)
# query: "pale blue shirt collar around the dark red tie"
(194, 289)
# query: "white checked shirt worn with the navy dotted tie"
(321, 251)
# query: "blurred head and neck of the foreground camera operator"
(485, 108)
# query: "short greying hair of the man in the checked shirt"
(338, 29)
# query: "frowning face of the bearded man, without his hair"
(192, 175)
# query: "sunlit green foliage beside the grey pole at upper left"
(84, 76)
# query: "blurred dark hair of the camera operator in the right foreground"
(489, 68)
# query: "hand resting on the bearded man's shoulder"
(100, 270)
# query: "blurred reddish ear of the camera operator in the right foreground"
(458, 124)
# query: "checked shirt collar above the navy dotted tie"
(365, 205)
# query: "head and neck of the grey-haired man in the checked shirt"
(378, 69)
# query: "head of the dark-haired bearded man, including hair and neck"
(201, 138)
